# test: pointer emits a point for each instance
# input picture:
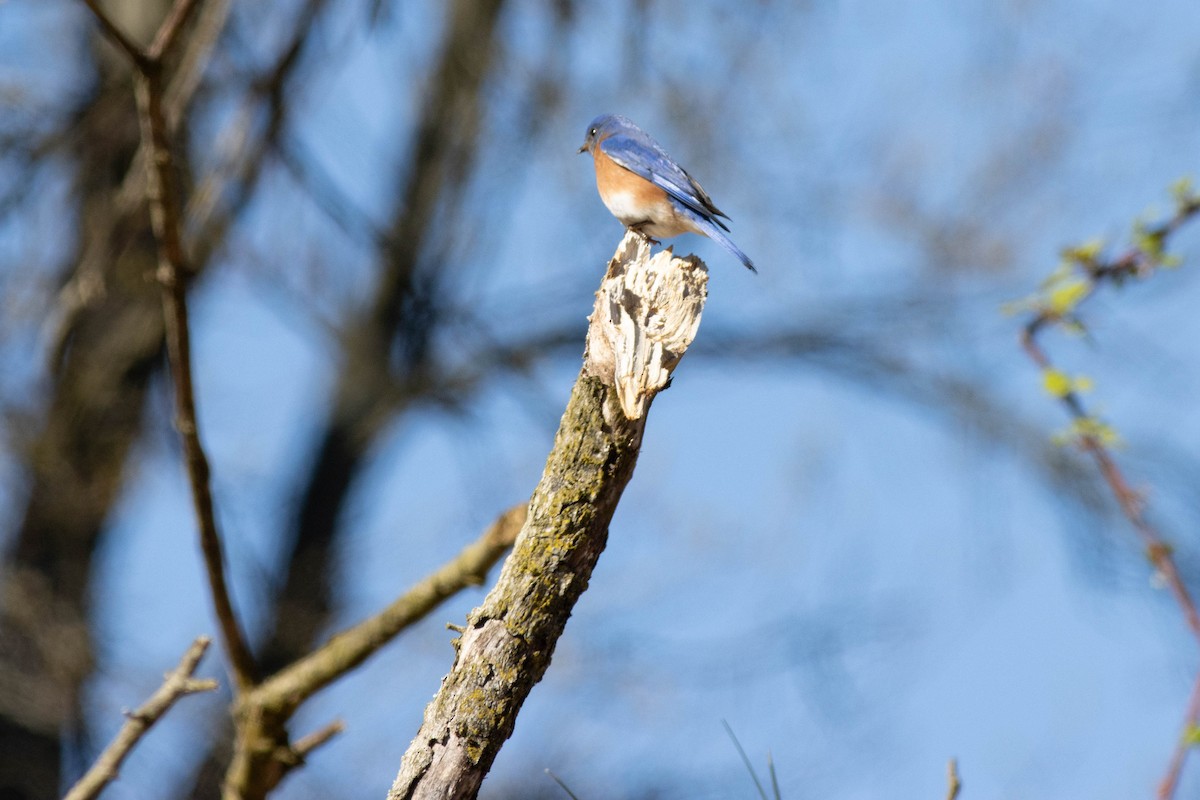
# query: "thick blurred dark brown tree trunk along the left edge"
(105, 345)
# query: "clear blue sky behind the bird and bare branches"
(861, 584)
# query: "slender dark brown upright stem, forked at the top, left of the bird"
(166, 218)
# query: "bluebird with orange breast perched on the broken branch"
(647, 190)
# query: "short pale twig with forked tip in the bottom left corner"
(178, 683)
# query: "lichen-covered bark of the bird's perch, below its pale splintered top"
(511, 637)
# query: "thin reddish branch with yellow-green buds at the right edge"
(1137, 262)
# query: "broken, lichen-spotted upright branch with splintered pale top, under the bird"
(508, 642)
